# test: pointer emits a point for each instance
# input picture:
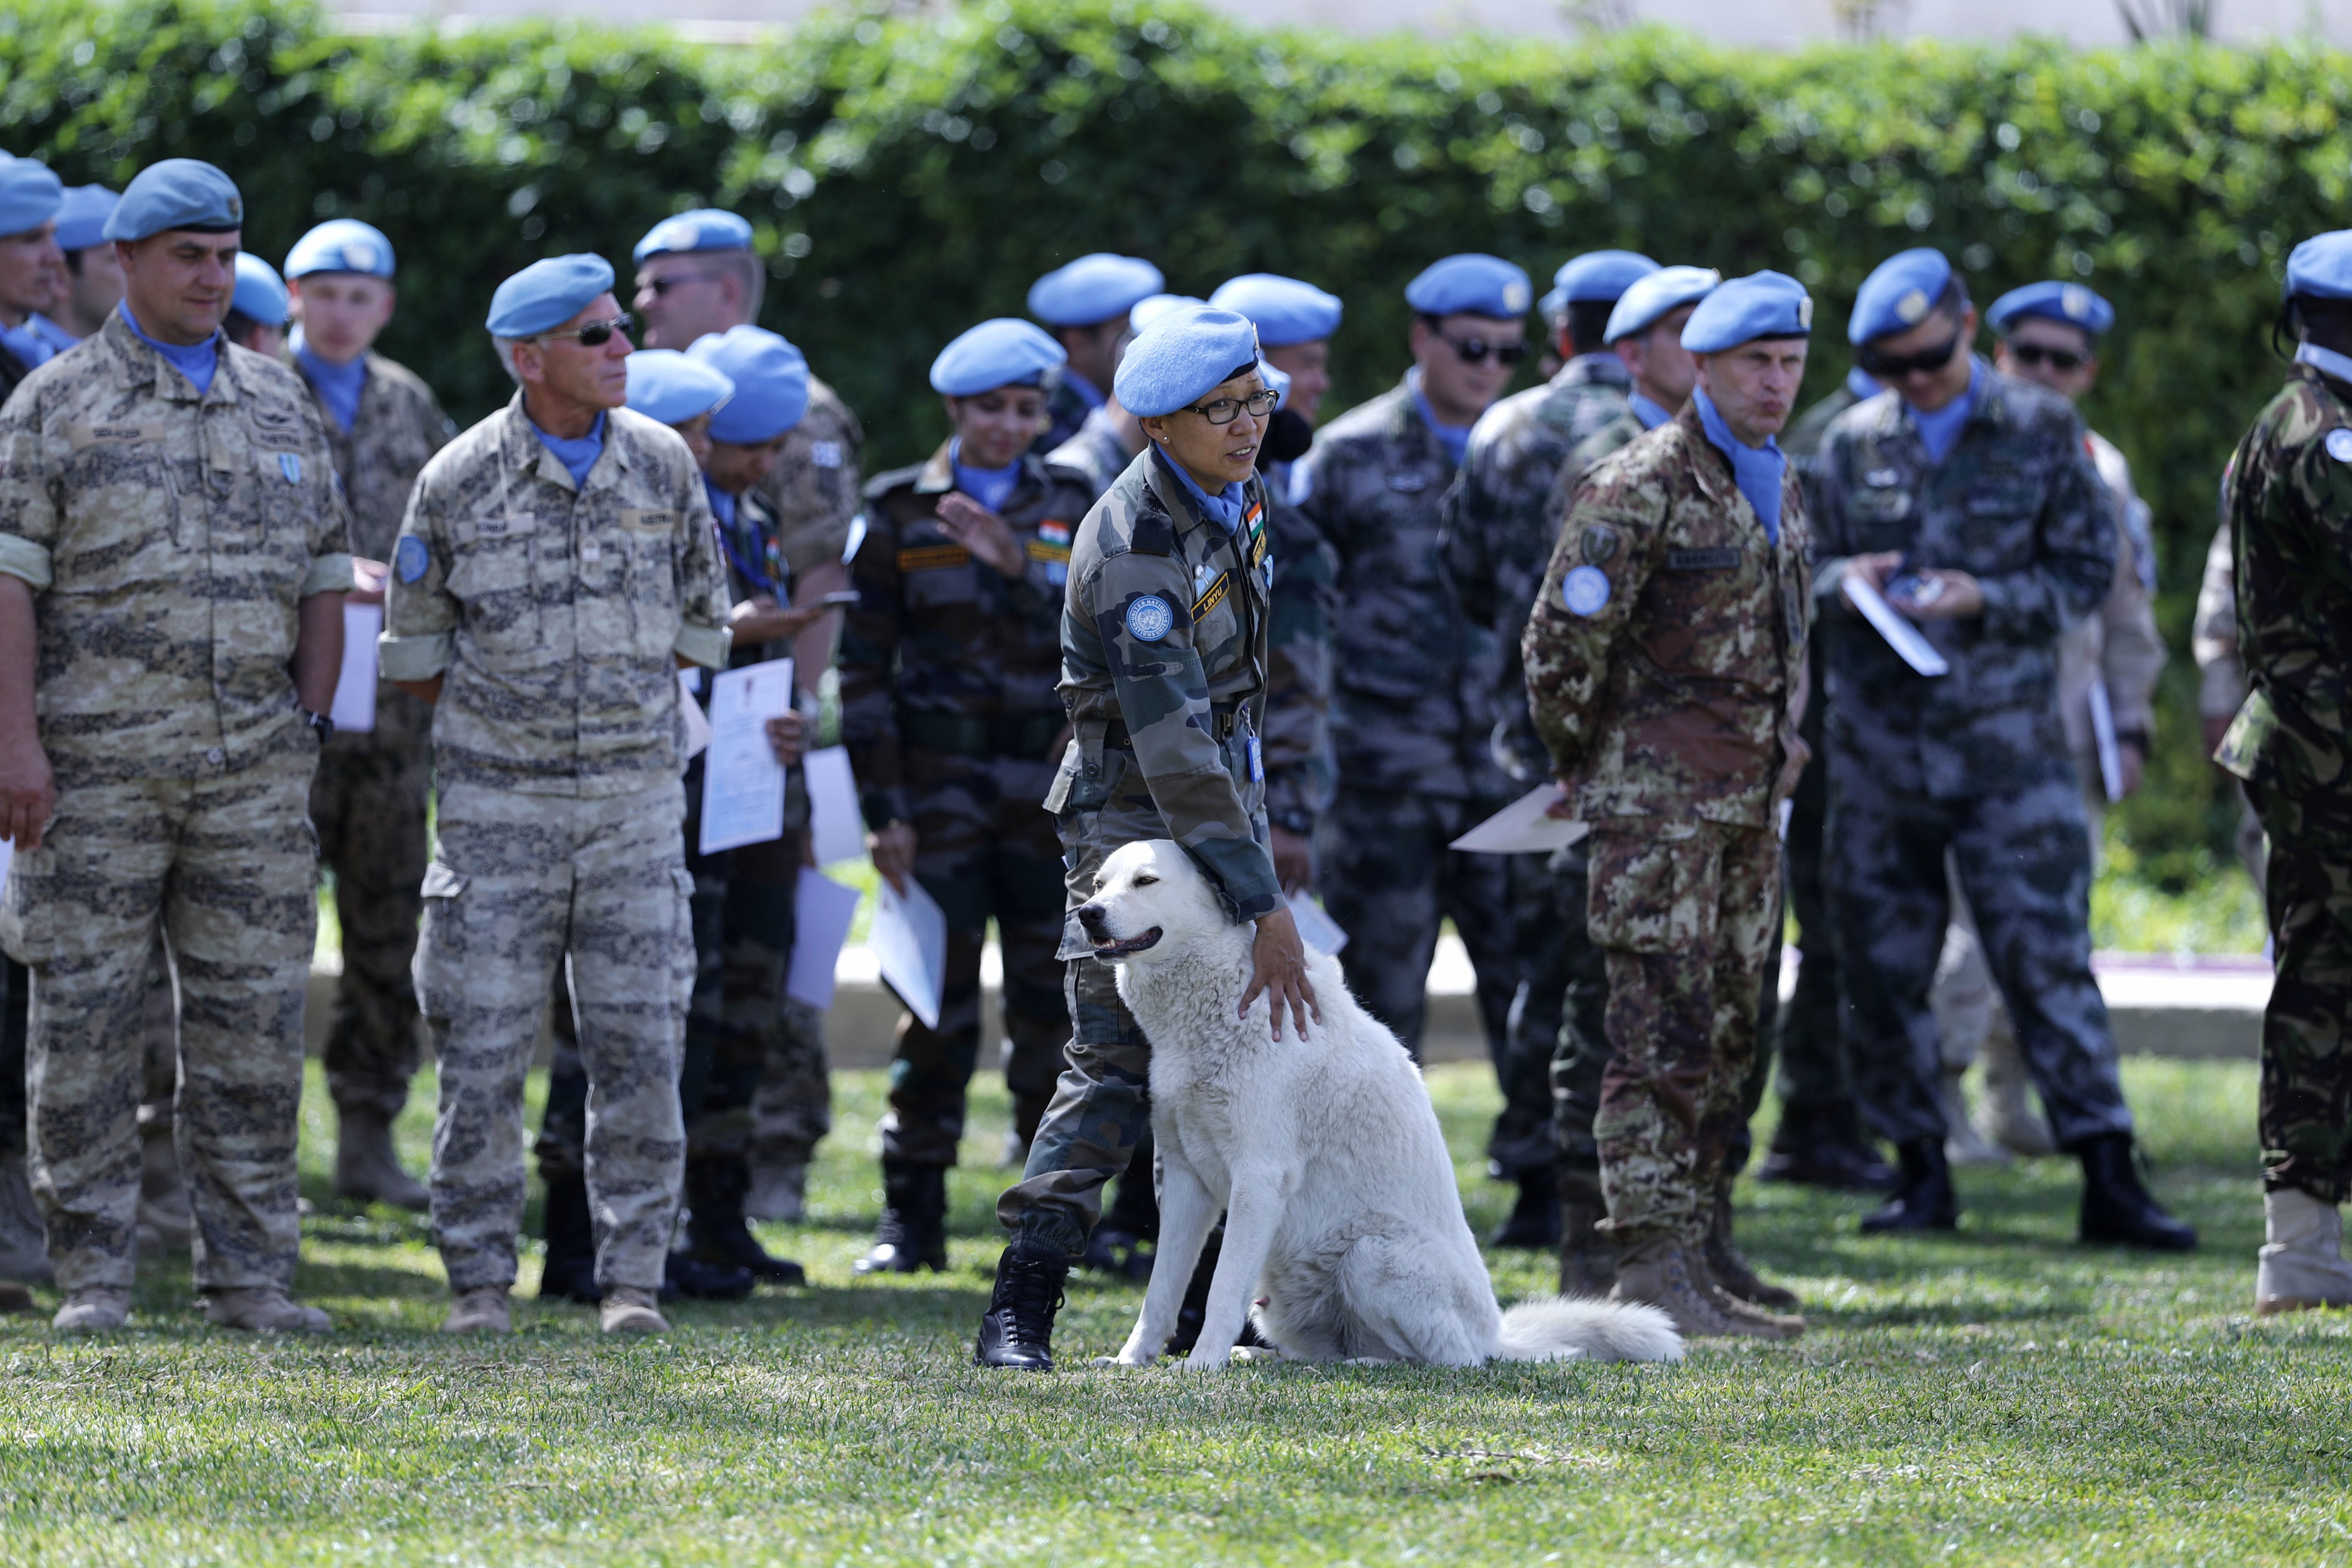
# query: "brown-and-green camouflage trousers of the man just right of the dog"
(1683, 913)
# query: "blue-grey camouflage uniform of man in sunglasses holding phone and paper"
(1975, 760)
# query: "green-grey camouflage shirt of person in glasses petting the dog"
(1165, 638)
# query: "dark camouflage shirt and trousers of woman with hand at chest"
(951, 721)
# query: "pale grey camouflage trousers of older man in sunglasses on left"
(521, 890)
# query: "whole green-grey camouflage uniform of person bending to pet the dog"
(1163, 648)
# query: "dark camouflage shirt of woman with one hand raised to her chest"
(942, 650)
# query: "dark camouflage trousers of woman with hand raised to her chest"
(984, 850)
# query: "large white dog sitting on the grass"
(1342, 1217)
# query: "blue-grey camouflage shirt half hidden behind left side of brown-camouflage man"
(1499, 528)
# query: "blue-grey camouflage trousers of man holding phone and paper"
(2026, 871)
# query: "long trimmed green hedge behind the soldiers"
(911, 175)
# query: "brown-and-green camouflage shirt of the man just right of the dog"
(1671, 695)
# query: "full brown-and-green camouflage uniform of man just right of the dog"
(1669, 711)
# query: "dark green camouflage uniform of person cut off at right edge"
(2290, 507)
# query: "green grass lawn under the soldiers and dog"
(1986, 1398)
